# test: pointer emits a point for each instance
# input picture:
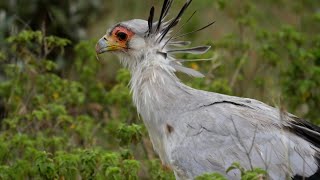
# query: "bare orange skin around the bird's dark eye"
(119, 37)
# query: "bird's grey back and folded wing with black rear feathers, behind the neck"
(217, 130)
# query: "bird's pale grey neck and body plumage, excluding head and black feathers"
(195, 132)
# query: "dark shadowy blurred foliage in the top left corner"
(67, 18)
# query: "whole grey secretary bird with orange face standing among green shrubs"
(195, 131)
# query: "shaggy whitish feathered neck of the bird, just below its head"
(153, 83)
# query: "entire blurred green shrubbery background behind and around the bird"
(66, 115)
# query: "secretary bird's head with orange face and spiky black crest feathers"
(136, 39)
